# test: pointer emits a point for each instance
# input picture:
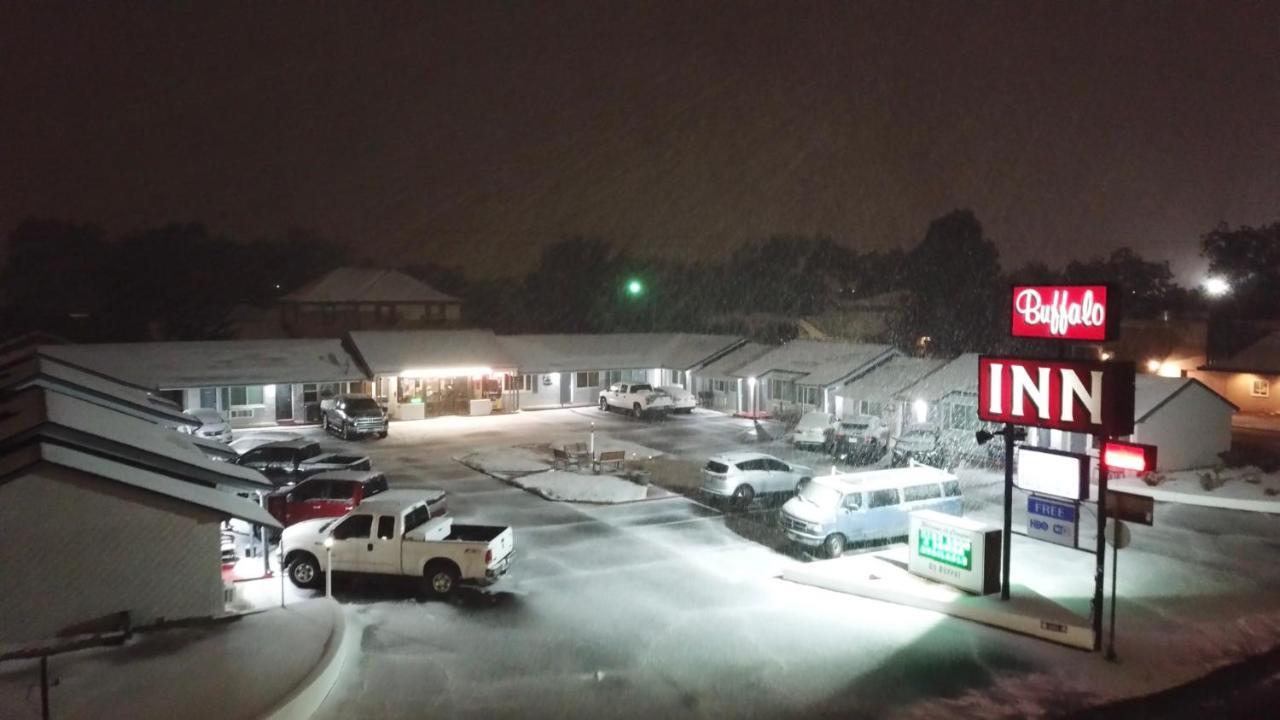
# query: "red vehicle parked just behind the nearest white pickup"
(335, 494)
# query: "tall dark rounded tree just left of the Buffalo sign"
(957, 289)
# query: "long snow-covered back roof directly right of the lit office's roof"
(614, 352)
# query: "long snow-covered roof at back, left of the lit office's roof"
(171, 366)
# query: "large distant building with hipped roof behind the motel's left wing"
(367, 299)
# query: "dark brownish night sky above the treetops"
(474, 133)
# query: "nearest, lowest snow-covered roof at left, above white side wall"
(19, 459)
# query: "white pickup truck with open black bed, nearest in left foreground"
(394, 534)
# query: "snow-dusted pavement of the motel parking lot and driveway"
(673, 609)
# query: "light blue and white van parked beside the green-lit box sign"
(835, 511)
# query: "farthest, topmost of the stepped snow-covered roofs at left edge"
(40, 371)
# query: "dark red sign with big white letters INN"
(1066, 395)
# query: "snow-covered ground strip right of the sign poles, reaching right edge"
(1244, 489)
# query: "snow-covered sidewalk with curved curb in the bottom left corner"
(273, 664)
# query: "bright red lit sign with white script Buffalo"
(1062, 312)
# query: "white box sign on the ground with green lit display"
(957, 552)
